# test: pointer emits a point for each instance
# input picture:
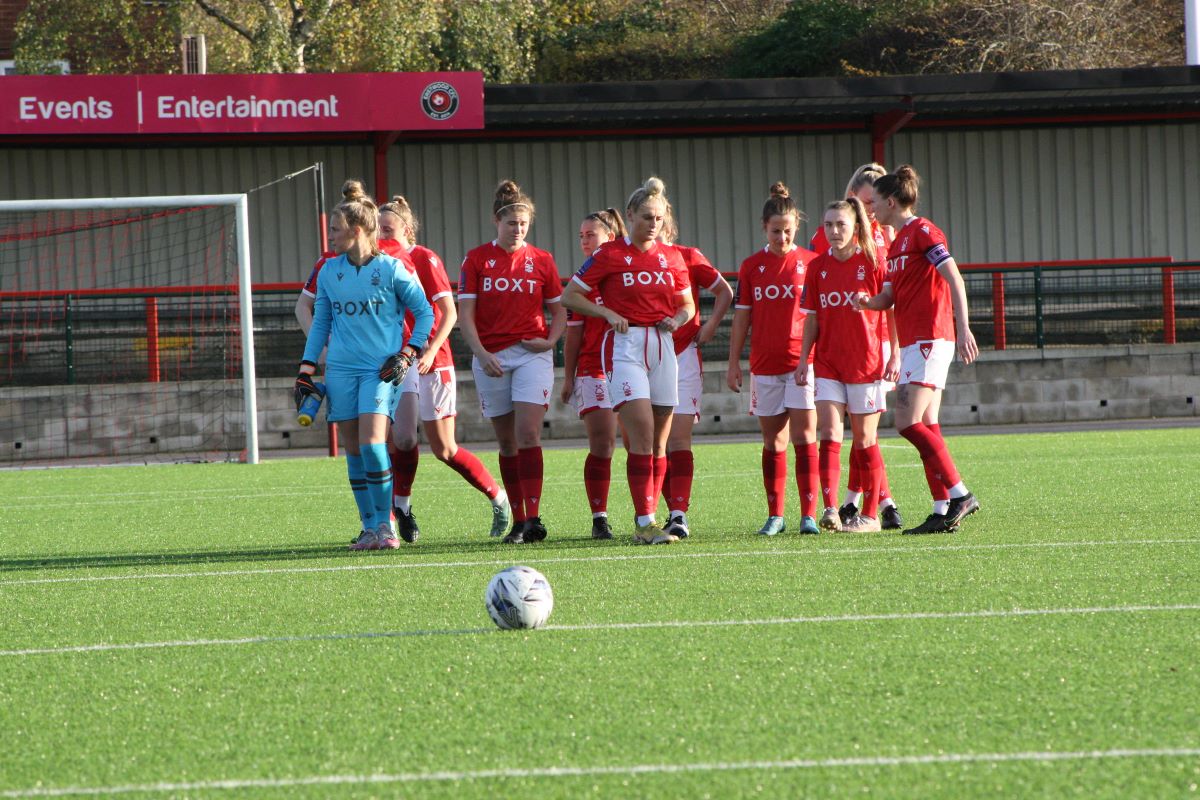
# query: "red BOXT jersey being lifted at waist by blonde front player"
(641, 287)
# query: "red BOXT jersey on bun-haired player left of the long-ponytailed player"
(771, 287)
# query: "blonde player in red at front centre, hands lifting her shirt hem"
(646, 298)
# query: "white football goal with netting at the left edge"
(52, 236)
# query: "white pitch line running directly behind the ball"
(608, 627)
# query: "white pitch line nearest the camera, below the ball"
(596, 772)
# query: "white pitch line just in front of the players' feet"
(673, 555)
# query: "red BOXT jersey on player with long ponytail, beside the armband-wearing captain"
(848, 346)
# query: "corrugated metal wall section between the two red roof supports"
(717, 185)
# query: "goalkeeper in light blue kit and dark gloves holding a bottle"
(362, 299)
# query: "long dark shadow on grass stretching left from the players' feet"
(326, 551)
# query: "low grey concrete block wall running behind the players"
(202, 420)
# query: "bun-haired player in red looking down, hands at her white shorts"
(503, 292)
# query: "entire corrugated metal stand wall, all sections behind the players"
(1000, 195)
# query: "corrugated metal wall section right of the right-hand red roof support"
(1061, 194)
